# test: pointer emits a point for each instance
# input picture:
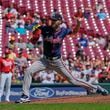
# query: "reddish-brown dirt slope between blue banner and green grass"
(76, 99)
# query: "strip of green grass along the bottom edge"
(68, 106)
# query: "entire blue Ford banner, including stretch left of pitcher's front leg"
(48, 92)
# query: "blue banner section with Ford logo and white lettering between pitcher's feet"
(47, 92)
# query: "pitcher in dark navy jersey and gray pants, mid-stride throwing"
(53, 36)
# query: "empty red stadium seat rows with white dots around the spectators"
(67, 8)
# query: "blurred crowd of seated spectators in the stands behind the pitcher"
(94, 68)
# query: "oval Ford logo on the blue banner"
(41, 92)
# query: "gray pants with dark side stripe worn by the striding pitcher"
(57, 65)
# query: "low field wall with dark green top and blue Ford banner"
(40, 91)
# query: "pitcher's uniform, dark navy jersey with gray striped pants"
(52, 59)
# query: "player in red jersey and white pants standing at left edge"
(6, 70)
